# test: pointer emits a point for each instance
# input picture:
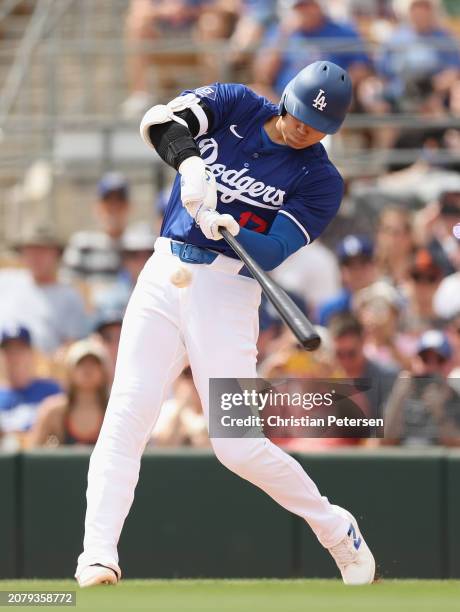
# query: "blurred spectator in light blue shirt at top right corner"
(419, 51)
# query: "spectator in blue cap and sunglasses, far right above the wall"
(422, 407)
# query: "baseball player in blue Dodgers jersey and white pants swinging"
(260, 171)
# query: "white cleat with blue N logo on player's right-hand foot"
(352, 555)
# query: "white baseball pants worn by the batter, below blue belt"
(214, 324)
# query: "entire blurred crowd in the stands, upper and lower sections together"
(382, 284)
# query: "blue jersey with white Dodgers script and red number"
(255, 182)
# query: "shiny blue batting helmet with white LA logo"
(319, 96)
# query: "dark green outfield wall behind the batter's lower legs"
(193, 518)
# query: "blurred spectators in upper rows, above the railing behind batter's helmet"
(402, 55)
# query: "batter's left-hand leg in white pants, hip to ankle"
(150, 357)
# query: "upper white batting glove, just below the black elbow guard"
(197, 186)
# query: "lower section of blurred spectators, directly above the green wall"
(386, 303)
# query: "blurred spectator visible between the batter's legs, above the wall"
(181, 421)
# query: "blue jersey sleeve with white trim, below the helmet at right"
(315, 204)
